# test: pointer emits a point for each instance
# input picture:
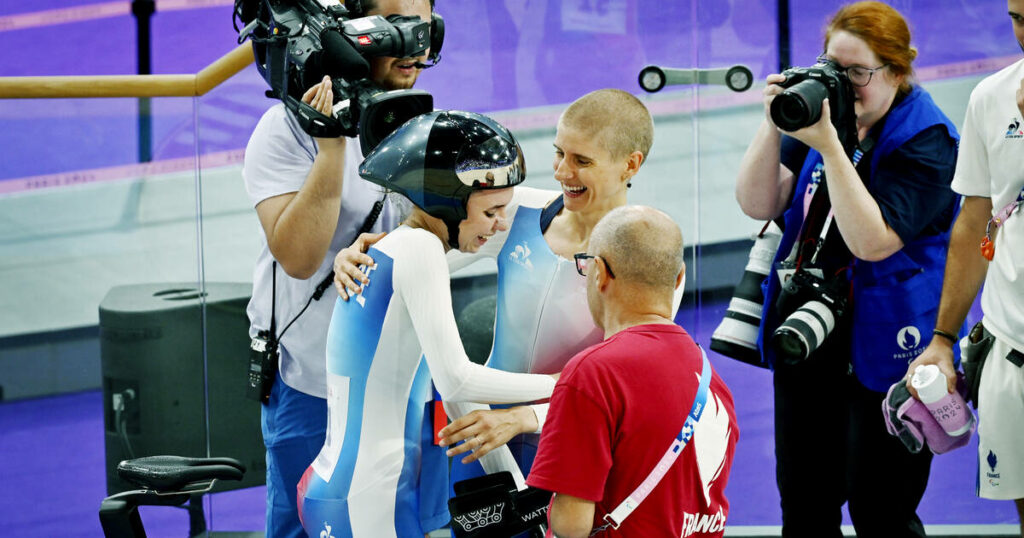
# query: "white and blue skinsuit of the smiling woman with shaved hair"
(542, 319)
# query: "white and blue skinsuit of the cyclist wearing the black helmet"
(365, 482)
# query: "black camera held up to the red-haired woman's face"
(800, 104)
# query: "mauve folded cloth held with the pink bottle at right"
(910, 421)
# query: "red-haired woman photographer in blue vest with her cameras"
(863, 182)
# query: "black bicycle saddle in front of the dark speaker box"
(167, 474)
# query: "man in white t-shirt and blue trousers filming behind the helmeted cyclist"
(311, 202)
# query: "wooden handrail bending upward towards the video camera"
(131, 86)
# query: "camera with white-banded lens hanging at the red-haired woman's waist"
(812, 307)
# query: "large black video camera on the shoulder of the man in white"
(297, 43)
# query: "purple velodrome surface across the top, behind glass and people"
(499, 56)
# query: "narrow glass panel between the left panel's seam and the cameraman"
(231, 235)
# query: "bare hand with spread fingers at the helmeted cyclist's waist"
(485, 431)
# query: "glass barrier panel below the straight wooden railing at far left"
(101, 326)
